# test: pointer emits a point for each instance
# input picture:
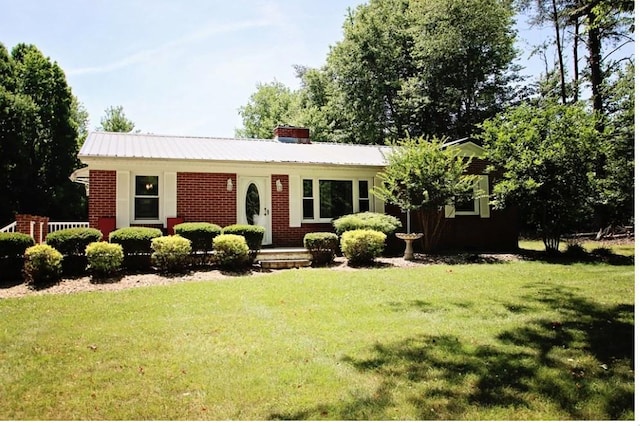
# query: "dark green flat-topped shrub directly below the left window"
(136, 245)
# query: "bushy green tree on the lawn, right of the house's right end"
(548, 155)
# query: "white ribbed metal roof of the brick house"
(149, 146)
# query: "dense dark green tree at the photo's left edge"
(38, 137)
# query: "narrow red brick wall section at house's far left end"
(102, 195)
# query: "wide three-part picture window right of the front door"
(326, 199)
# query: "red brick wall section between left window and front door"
(203, 197)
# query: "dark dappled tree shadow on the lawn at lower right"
(574, 363)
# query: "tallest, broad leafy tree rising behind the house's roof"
(437, 67)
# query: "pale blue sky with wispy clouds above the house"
(180, 67)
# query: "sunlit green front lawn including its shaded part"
(513, 341)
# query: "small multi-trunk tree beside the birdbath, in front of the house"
(424, 177)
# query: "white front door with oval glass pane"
(254, 203)
